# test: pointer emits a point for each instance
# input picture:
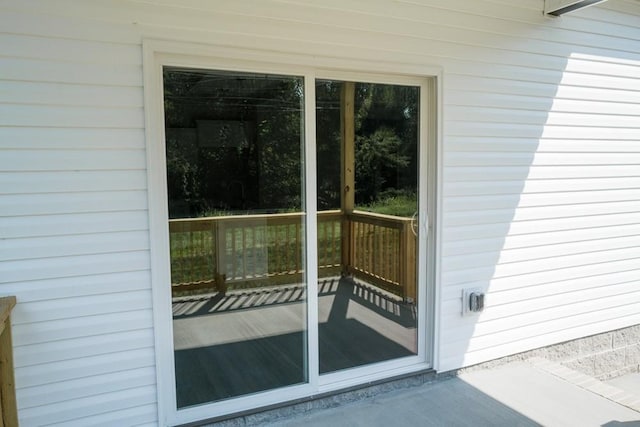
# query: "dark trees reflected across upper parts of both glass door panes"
(260, 169)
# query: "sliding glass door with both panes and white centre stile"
(277, 282)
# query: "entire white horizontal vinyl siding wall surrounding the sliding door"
(540, 168)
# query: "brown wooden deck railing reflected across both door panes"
(244, 250)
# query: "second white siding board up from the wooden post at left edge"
(16, 271)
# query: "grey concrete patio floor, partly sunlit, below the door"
(527, 393)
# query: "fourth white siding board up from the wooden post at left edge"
(70, 224)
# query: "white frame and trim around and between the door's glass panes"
(158, 54)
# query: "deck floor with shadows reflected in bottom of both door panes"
(249, 341)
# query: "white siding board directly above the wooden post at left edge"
(76, 287)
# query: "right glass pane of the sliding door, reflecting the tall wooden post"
(367, 151)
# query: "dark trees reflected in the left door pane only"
(233, 142)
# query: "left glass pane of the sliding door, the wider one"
(235, 191)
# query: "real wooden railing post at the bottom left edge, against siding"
(8, 407)
